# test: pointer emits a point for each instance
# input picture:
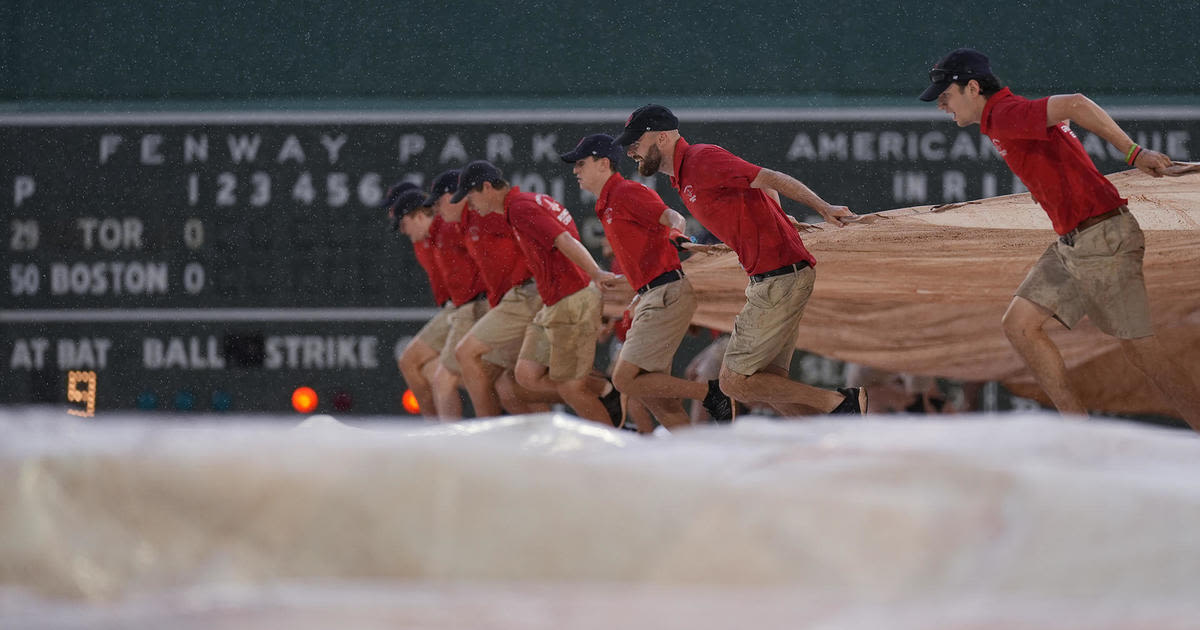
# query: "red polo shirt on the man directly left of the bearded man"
(631, 214)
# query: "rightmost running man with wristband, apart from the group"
(1095, 266)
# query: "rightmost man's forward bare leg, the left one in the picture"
(1025, 327)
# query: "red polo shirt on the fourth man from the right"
(537, 220)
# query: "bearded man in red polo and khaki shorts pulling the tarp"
(739, 202)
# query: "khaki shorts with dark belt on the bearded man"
(765, 332)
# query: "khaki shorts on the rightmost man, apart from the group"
(1100, 277)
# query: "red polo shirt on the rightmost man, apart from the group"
(1051, 161)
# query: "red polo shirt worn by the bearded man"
(715, 185)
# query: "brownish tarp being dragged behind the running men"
(922, 291)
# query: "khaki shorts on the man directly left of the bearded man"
(661, 321)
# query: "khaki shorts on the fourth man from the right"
(563, 337)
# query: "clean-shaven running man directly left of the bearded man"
(644, 233)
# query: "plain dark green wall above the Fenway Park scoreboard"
(719, 53)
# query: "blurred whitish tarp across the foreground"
(548, 523)
